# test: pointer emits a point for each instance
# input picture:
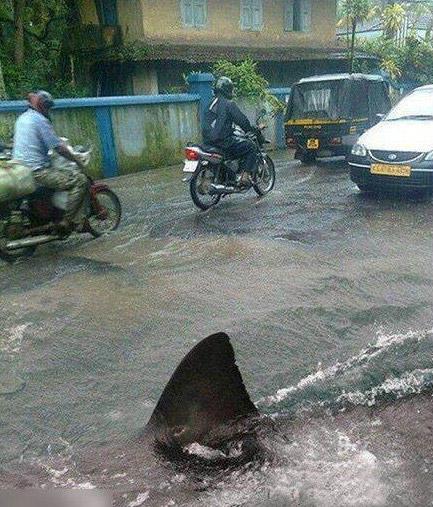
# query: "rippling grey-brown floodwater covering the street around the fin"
(326, 294)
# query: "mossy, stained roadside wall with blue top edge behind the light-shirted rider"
(127, 134)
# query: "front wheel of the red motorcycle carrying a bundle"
(105, 214)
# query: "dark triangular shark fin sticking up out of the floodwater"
(205, 393)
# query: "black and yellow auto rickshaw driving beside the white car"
(326, 114)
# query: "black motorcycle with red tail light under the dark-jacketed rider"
(212, 175)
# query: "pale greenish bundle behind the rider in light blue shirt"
(16, 180)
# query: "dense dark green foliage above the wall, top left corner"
(33, 46)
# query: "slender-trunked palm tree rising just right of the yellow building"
(355, 12)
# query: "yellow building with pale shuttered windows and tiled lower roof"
(160, 40)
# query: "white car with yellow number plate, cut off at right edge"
(397, 153)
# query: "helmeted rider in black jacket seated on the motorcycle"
(218, 130)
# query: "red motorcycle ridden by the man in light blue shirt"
(32, 220)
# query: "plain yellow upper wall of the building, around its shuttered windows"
(162, 21)
